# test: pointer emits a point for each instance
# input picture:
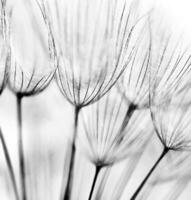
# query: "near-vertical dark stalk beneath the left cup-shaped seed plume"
(21, 149)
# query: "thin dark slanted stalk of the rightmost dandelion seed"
(165, 151)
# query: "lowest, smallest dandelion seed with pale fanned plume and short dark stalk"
(106, 135)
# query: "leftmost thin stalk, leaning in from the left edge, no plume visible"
(9, 165)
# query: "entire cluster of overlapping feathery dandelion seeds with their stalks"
(127, 80)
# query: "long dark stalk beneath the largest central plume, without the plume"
(72, 156)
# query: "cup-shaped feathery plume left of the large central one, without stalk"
(31, 65)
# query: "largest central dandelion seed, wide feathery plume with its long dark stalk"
(94, 44)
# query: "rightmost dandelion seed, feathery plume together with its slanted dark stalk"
(168, 96)
